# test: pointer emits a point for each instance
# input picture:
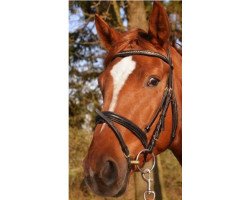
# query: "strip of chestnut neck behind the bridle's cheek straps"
(176, 146)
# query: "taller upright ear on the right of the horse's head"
(159, 26)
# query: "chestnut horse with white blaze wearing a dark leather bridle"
(139, 67)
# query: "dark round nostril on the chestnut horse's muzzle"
(109, 172)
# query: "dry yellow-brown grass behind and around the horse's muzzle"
(79, 141)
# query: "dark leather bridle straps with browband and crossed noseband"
(167, 98)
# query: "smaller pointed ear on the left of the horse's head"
(107, 35)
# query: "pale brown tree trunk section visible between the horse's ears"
(137, 15)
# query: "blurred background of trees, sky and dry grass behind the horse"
(85, 64)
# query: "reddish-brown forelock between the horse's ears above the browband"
(134, 39)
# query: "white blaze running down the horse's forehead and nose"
(120, 73)
